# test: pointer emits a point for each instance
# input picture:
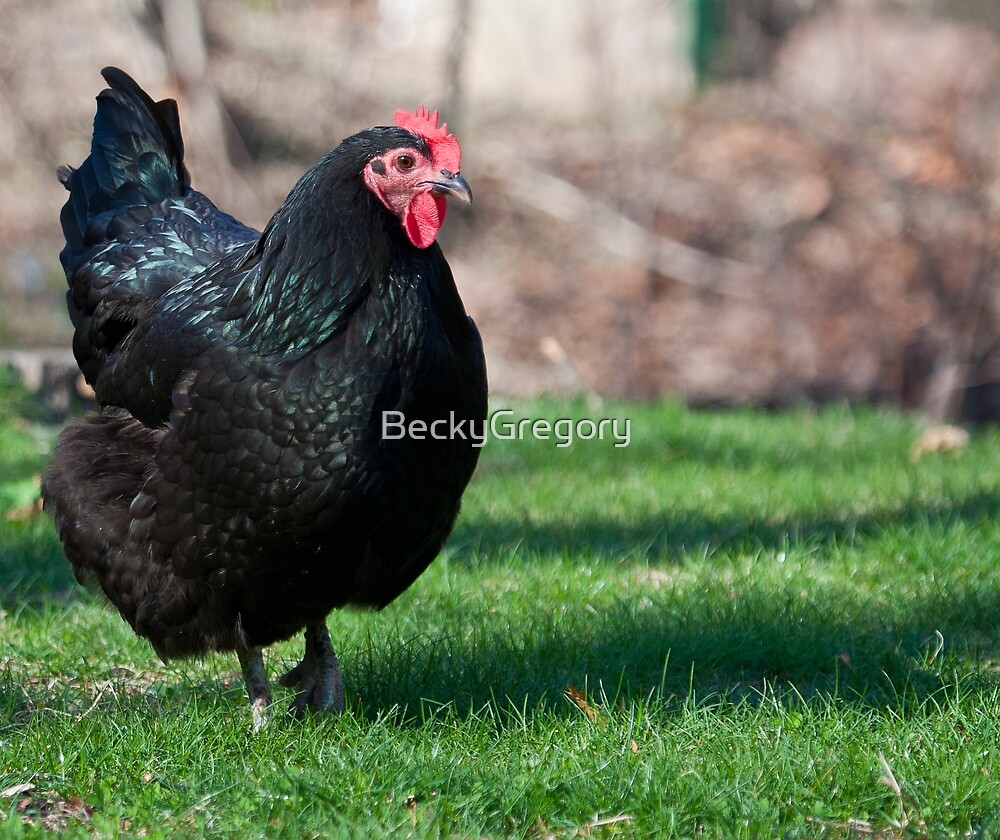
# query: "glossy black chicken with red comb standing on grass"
(236, 484)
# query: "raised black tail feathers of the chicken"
(136, 156)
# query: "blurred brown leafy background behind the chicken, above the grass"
(733, 201)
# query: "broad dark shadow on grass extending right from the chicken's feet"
(876, 661)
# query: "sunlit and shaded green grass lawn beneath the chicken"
(773, 625)
